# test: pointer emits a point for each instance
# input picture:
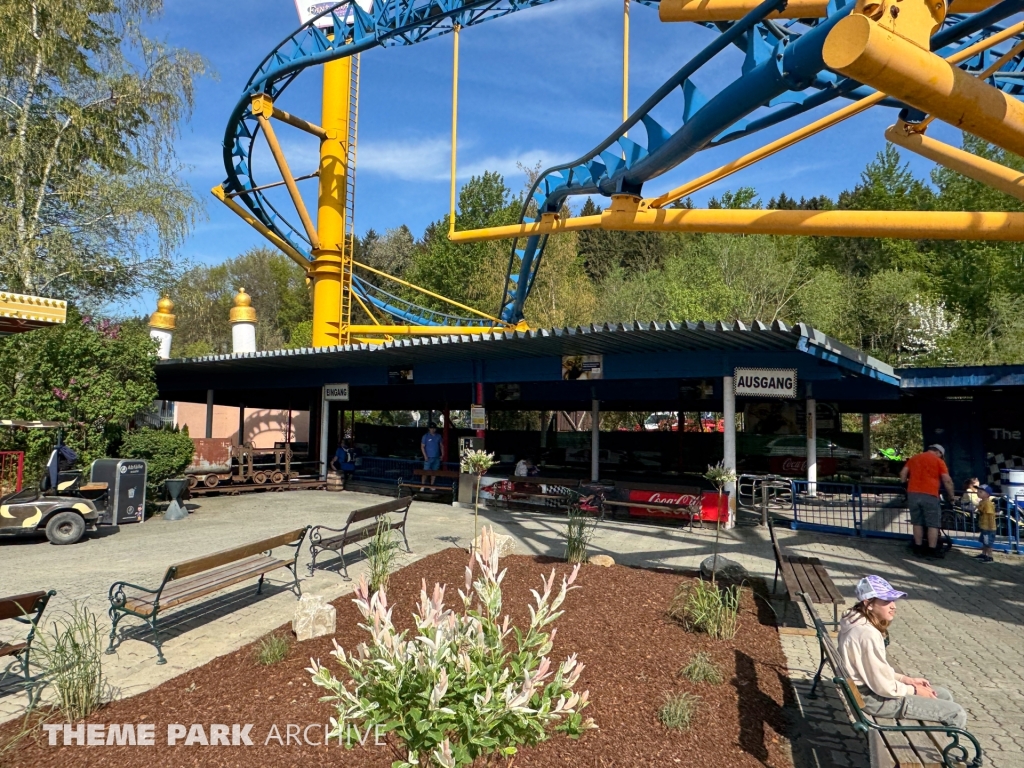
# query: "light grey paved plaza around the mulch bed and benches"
(960, 627)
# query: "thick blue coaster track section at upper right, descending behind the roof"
(783, 73)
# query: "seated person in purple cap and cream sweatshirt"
(864, 635)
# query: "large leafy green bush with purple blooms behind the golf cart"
(93, 376)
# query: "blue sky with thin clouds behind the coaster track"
(541, 86)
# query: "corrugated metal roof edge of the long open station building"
(619, 338)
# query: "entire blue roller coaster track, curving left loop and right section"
(783, 76)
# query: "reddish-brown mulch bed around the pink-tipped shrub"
(616, 622)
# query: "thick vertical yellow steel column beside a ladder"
(332, 268)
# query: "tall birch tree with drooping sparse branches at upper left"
(93, 206)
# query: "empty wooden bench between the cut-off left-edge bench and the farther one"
(200, 577)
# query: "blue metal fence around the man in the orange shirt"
(871, 510)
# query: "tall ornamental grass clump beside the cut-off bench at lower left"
(71, 653)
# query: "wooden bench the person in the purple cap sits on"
(892, 743)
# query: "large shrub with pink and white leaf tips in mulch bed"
(467, 687)
